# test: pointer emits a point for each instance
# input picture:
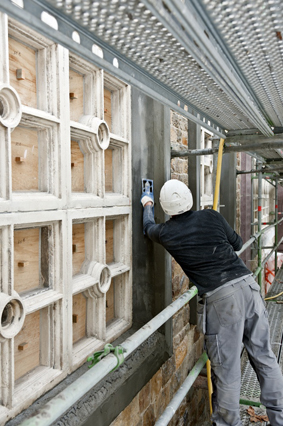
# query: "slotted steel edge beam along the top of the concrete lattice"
(128, 71)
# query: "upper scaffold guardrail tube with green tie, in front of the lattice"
(58, 405)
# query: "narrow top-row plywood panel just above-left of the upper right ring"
(77, 87)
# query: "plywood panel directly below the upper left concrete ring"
(24, 143)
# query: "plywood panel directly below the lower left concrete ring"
(27, 359)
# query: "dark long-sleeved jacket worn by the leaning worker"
(203, 244)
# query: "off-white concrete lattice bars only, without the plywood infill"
(58, 208)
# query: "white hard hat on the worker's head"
(175, 197)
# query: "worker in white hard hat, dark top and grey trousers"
(204, 245)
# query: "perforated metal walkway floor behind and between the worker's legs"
(250, 389)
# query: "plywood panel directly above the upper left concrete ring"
(24, 58)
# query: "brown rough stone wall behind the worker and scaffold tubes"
(150, 402)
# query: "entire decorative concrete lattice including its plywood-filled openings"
(65, 223)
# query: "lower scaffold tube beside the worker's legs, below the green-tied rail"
(175, 403)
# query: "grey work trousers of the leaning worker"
(237, 314)
